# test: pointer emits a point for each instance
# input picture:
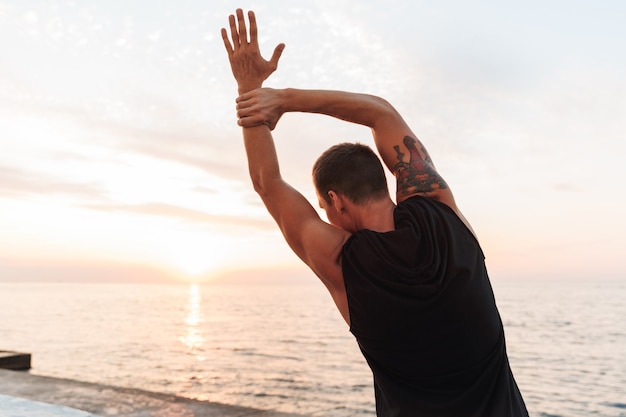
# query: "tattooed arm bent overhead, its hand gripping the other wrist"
(404, 155)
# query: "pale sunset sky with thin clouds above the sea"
(121, 160)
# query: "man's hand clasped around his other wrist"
(262, 106)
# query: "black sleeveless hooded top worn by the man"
(423, 313)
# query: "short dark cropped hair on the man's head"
(351, 169)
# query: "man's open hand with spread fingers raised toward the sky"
(249, 67)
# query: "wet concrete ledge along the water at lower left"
(105, 401)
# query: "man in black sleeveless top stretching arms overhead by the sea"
(409, 279)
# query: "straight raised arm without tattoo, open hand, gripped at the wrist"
(316, 242)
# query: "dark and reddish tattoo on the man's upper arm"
(418, 176)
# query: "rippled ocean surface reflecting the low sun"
(286, 348)
